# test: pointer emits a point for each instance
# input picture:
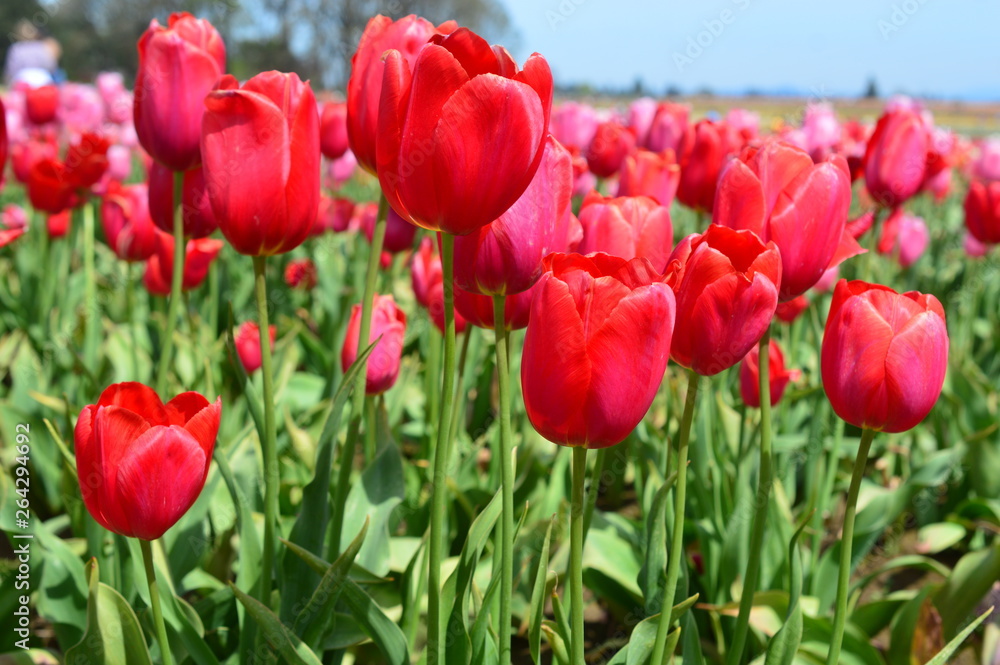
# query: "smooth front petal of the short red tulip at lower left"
(160, 479)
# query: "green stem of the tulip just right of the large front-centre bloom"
(677, 533)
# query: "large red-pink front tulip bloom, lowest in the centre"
(597, 345)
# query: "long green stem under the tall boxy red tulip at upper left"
(269, 444)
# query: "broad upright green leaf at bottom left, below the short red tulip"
(113, 635)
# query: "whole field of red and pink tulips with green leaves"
(448, 368)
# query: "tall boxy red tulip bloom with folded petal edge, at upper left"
(260, 148)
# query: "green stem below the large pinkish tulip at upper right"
(763, 500)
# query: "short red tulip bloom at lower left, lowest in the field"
(141, 463)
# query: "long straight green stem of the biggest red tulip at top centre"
(442, 454)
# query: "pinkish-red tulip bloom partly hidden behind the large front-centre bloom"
(627, 226)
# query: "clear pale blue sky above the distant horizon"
(943, 48)
